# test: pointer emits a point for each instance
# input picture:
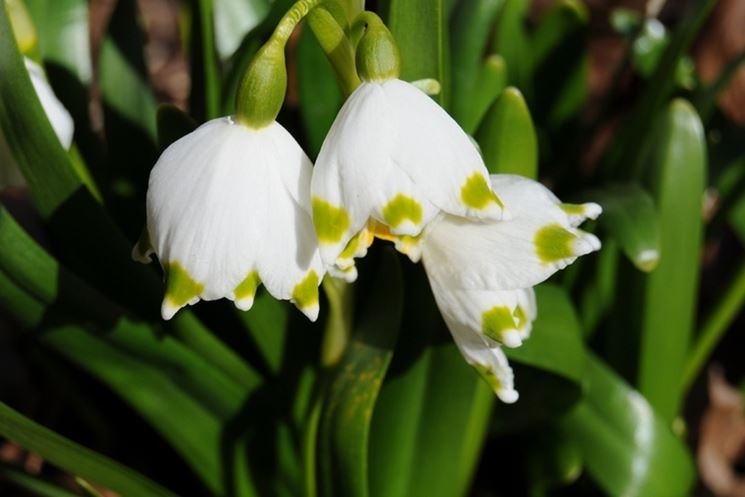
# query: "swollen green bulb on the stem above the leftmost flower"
(263, 87)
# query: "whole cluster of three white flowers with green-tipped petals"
(237, 203)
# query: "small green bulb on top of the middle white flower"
(377, 55)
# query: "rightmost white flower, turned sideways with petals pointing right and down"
(482, 273)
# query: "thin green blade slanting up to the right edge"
(715, 325)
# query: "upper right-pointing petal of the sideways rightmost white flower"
(518, 253)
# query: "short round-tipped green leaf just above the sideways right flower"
(507, 137)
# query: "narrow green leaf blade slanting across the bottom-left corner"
(75, 458)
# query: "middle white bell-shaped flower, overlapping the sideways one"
(395, 156)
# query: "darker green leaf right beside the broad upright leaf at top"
(470, 27)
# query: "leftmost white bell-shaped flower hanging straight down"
(228, 208)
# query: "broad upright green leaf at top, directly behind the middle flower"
(419, 27)
